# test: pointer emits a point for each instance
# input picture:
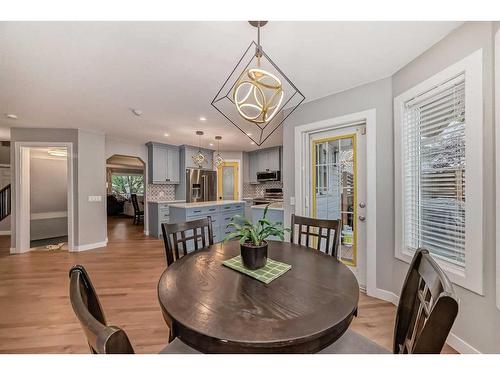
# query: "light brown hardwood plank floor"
(36, 315)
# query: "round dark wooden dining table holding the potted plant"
(216, 309)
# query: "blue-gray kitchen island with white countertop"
(220, 212)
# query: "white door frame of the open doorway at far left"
(22, 186)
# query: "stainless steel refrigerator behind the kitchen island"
(201, 185)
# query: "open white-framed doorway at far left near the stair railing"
(43, 196)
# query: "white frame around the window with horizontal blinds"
(471, 66)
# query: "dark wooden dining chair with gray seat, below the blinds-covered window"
(426, 312)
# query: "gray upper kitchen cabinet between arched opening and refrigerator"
(163, 164)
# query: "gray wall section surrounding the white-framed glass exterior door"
(376, 95)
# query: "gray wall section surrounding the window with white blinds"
(478, 322)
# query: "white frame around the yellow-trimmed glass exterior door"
(302, 133)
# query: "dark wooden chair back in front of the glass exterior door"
(306, 230)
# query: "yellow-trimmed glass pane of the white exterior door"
(335, 189)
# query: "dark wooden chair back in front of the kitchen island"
(178, 237)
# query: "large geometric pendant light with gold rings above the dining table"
(256, 92)
